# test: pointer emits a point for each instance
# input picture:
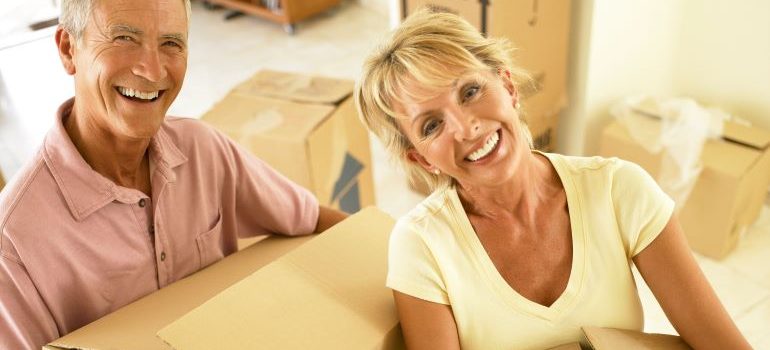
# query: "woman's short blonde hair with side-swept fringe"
(427, 52)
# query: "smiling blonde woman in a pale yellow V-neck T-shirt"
(516, 248)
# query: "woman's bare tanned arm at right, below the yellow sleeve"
(673, 275)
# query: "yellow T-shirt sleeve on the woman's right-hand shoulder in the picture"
(641, 207)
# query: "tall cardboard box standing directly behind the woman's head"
(540, 32)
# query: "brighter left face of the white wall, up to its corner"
(620, 48)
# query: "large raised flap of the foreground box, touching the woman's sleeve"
(328, 294)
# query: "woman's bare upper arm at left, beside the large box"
(426, 325)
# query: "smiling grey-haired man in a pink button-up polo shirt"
(121, 200)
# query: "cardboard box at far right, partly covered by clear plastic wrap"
(728, 194)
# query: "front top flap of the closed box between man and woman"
(241, 117)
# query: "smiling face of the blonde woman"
(469, 131)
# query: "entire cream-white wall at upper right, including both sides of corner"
(717, 52)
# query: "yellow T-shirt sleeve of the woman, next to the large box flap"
(412, 268)
